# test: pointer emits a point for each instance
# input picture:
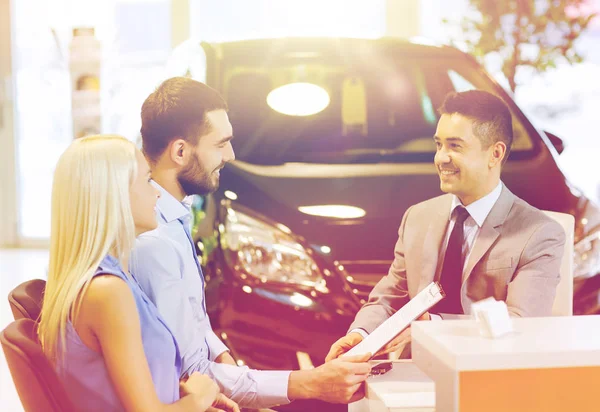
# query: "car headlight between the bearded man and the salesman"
(267, 251)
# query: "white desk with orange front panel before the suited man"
(547, 364)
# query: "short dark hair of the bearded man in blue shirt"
(177, 109)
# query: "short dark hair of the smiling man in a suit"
(492, 121)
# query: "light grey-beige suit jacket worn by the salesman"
(516, 258)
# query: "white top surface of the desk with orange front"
(536, 343)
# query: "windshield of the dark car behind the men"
(370, 105)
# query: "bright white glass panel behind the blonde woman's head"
(134, 51)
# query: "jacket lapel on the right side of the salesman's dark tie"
(489, 231)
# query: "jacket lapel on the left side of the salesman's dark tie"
(432, 242)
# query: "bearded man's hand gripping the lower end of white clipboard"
(338, 381)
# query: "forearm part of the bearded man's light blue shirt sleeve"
(251, 388)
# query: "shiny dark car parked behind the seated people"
(306, 219)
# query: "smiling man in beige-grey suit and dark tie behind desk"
(478, 240)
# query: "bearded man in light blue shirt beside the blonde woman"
(186, 136)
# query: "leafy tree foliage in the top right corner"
(536, 33)
